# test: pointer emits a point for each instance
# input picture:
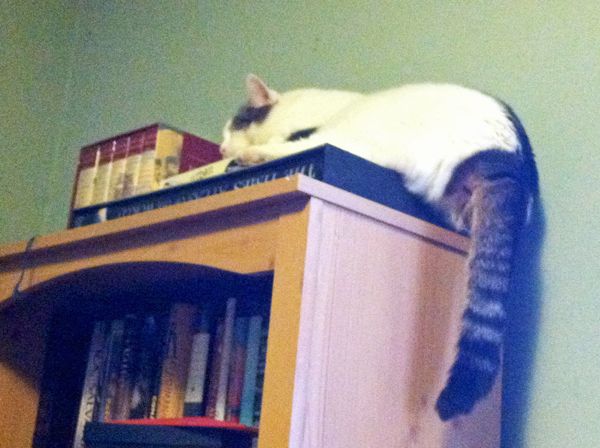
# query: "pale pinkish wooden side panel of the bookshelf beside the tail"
(379, 323)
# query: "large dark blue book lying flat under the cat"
(325, 163)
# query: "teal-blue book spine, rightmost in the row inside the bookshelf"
(251, 371)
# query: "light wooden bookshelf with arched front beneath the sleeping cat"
(364, 312)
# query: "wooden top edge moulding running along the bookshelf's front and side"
(296, 190)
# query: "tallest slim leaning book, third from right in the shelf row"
(219, 376)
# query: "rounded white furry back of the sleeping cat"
(432, 117)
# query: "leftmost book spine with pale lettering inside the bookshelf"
(91, 386)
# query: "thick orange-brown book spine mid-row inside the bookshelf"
(176, 362)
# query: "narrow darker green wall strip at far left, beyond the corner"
(34, 77)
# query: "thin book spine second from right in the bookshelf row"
(236, 375)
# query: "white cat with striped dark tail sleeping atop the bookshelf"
(462, 151)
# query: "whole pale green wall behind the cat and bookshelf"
(78, 73)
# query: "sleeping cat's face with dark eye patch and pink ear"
(252, 125)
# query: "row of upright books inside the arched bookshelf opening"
(185, 362)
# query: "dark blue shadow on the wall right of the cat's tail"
(521, 337)
